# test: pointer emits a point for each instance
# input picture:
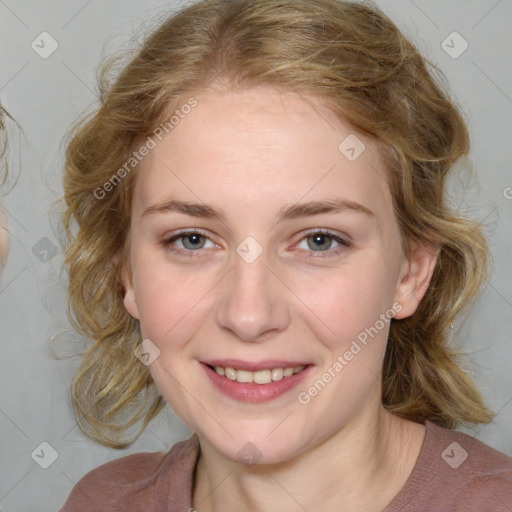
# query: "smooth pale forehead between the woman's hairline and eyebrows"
(261, 145)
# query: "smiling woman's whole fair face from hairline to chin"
(258, 245)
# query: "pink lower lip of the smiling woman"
(254, 393)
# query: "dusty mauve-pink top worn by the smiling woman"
(454, 472)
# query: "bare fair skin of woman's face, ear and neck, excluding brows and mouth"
(251, 154)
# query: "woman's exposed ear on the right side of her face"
(415, 276)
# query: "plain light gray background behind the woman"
(46, 96)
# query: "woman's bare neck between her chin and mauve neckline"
(359, 468)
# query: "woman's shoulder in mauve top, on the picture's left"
(126, 481)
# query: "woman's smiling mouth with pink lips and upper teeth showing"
(252, 382)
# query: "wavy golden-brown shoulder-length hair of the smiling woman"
(352, 59)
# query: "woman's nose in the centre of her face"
(254, 301)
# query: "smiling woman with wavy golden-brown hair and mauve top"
(263, 244)
